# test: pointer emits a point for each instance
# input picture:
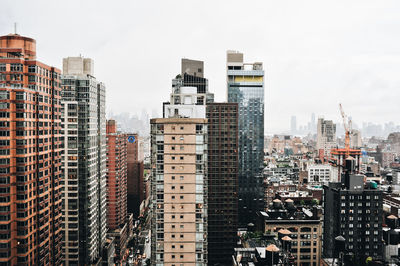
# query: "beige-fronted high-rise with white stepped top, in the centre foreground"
(179, 175)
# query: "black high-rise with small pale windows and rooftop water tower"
(353, 210)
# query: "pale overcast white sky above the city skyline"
(316, 54)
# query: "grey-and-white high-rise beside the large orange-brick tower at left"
(84, 163)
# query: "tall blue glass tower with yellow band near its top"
(246, 87)
